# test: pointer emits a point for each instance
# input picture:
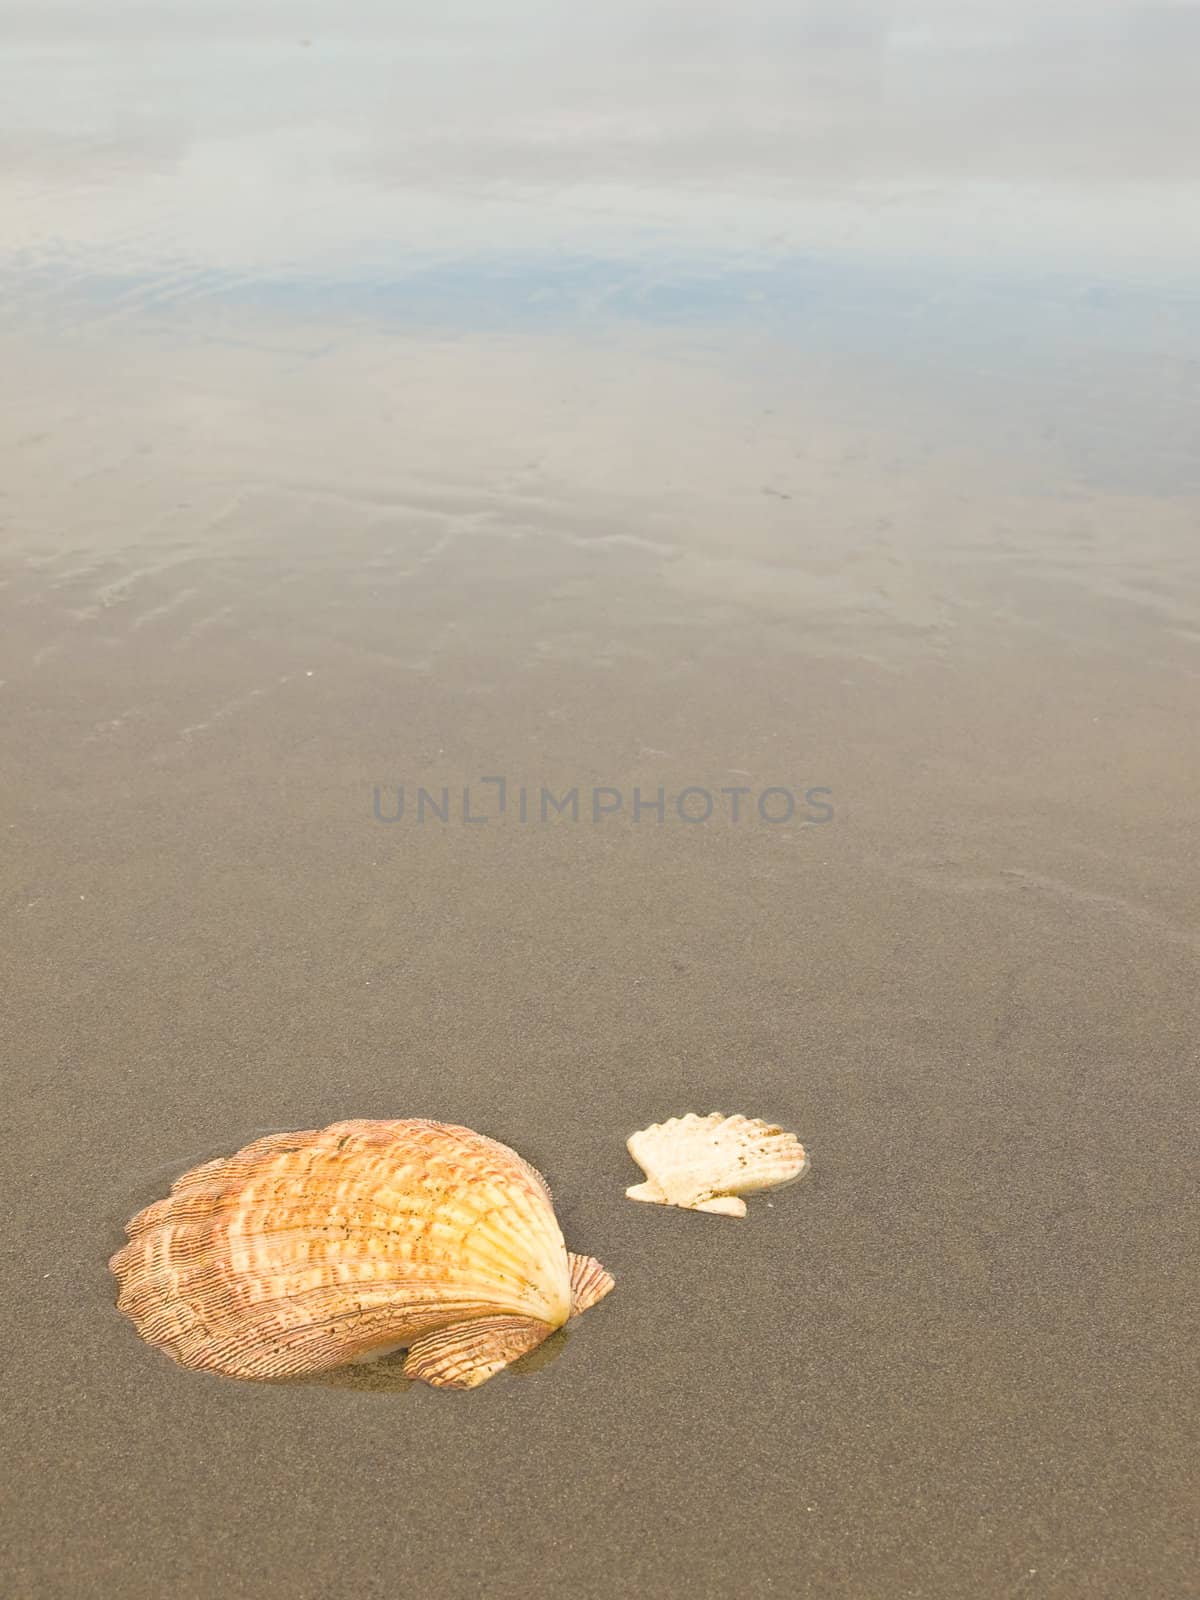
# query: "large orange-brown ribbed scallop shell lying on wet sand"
(311, 1250)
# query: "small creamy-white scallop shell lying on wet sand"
(703, 1164)
